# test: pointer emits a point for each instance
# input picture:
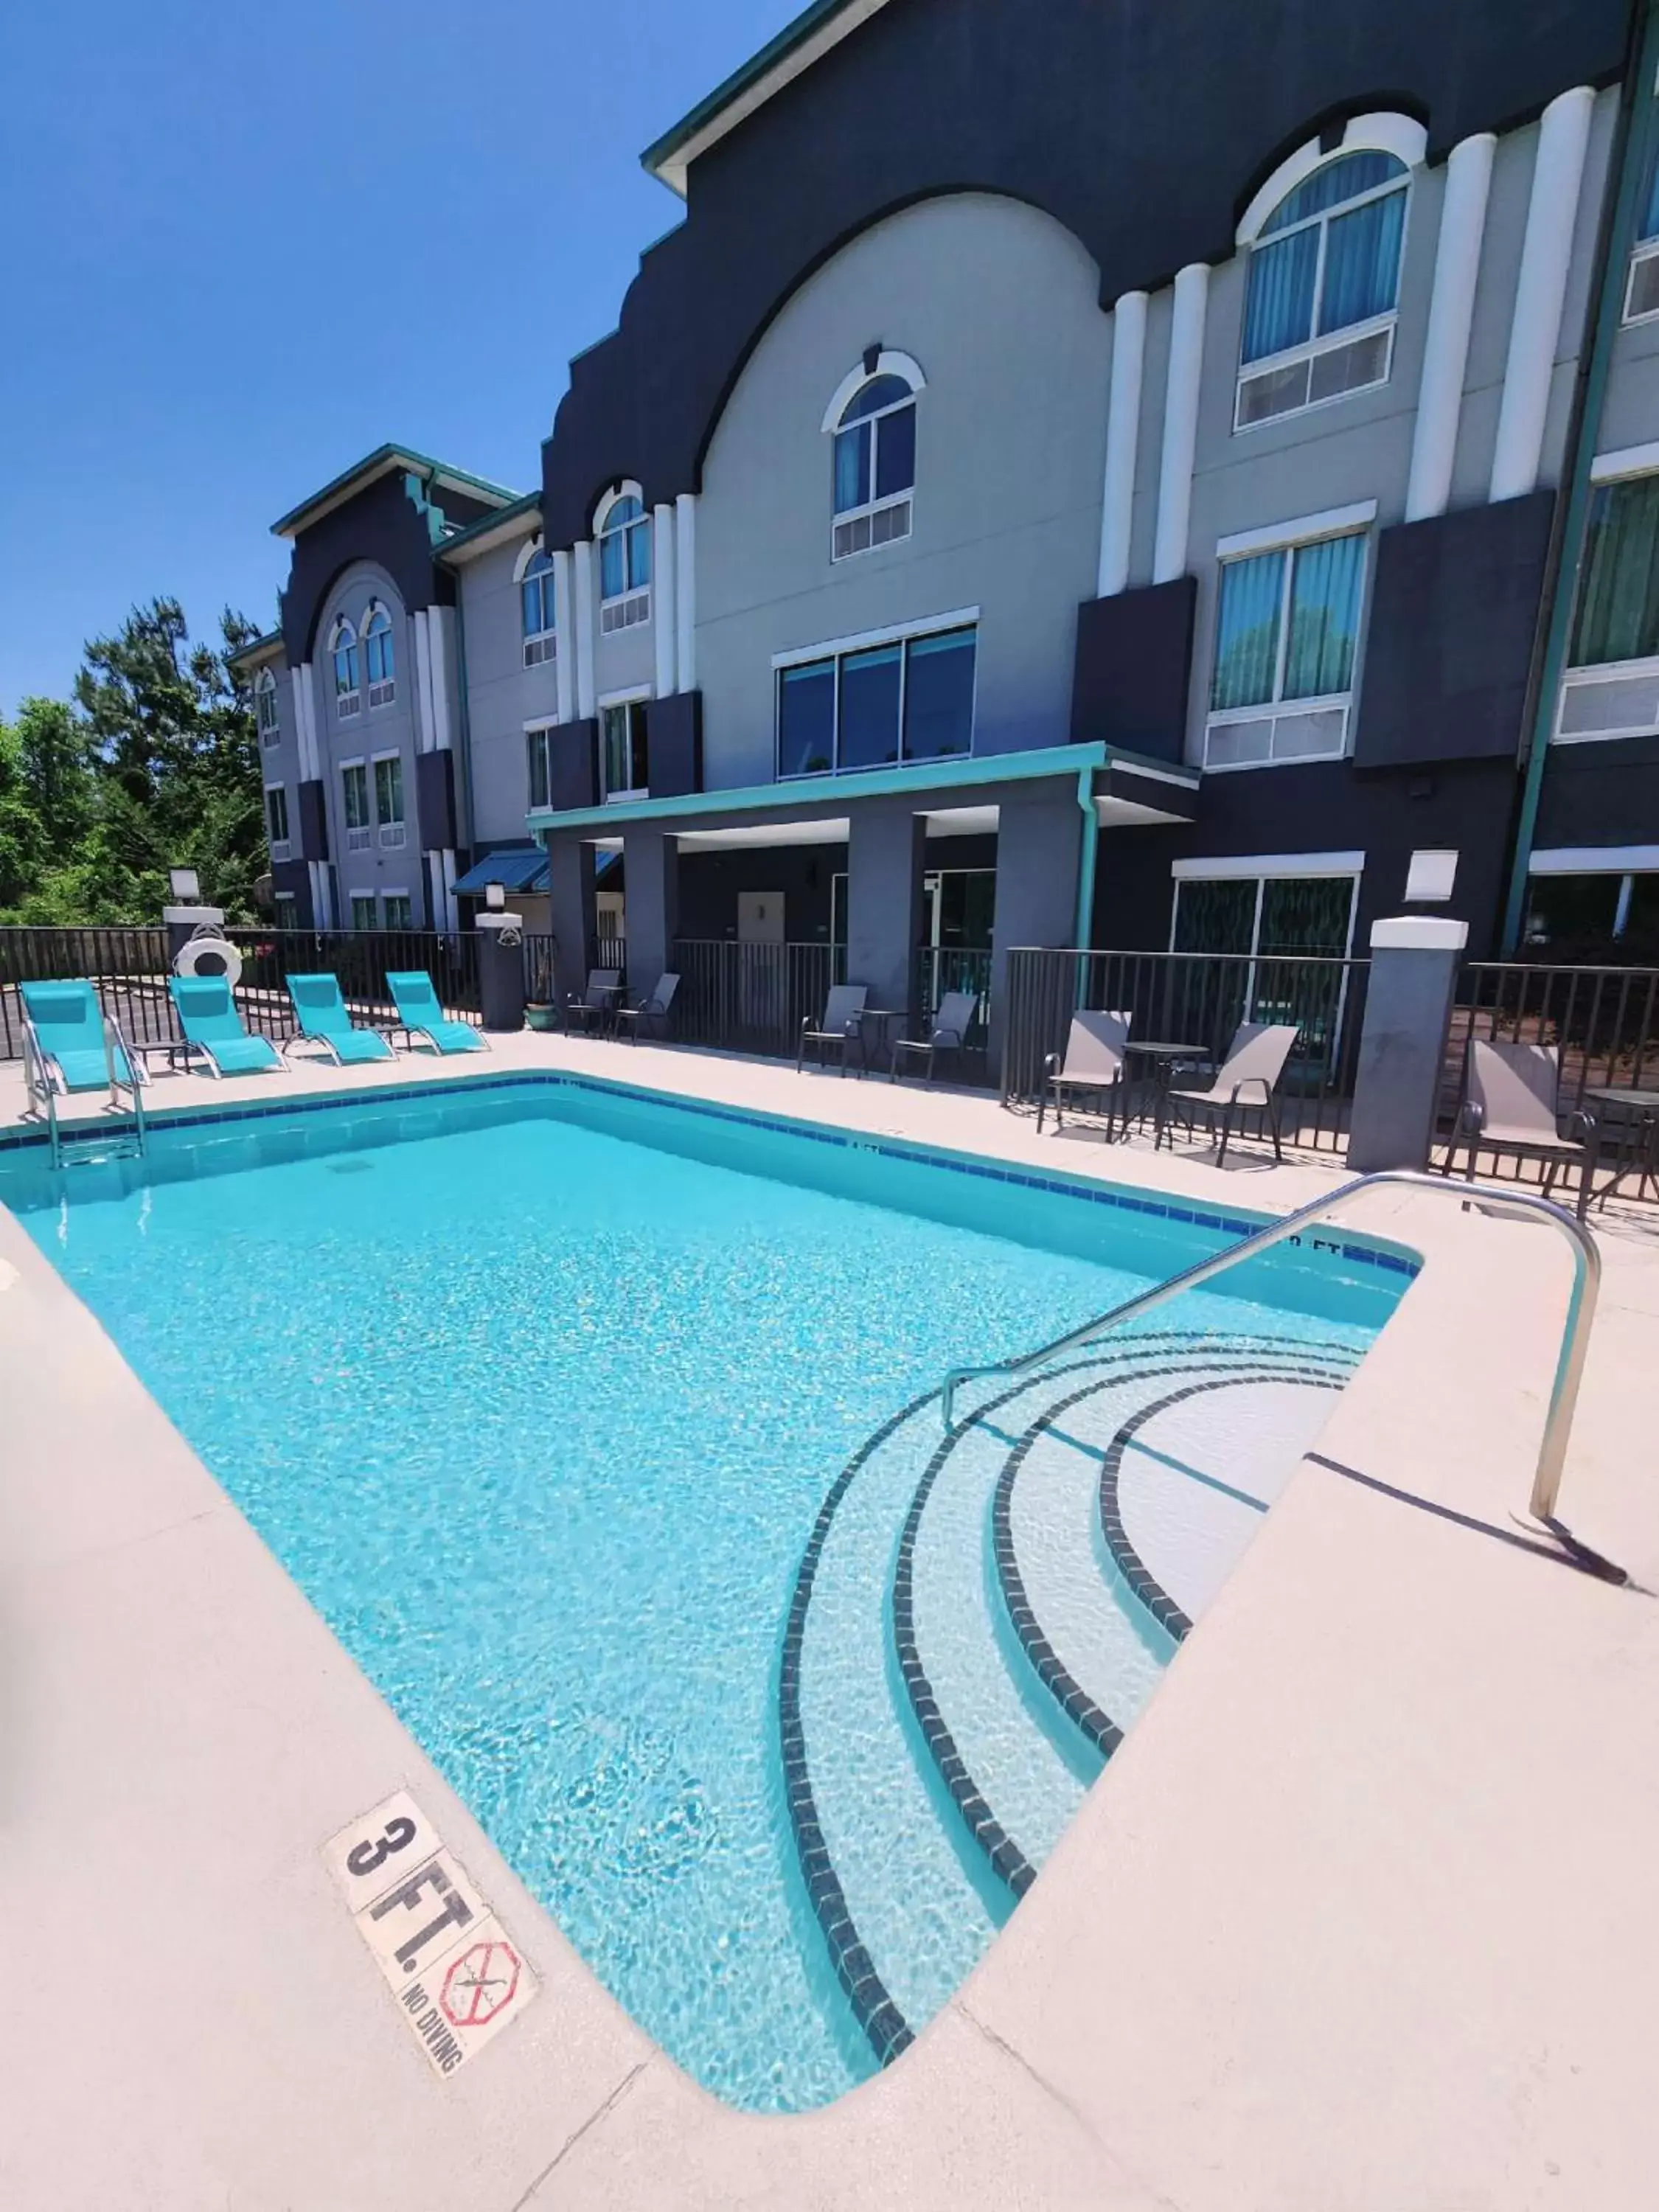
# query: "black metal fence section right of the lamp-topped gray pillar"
(1605, 1023)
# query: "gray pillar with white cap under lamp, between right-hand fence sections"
(1408, 1008)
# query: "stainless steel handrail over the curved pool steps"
(1569, 1368)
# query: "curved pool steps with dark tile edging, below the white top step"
(972, 1631)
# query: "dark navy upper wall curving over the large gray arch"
(1140, 127)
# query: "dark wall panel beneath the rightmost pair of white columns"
(1450, 645)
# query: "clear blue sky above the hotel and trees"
(247, 244)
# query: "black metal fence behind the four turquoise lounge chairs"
(129, 968)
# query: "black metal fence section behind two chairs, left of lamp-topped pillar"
(1198, 1001)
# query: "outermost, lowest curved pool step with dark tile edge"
(899, 1914)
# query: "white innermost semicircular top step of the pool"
(1200, 1470)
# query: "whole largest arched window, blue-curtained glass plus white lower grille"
(1324, 289)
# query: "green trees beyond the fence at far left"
(154, 766)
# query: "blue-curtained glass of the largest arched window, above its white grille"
(1328, 258)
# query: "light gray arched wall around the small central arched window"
(999, 306)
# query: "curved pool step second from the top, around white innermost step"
(1085, 1638)
